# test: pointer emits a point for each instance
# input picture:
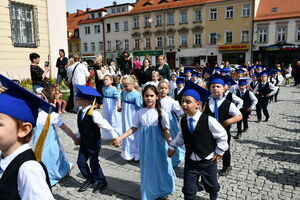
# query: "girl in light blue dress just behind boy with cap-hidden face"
(111, 105)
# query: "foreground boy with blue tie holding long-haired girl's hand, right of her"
(205, 141)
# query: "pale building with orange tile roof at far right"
(276, 37)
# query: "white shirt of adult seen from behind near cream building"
(80, 75)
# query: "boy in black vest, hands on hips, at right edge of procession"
(264, 90)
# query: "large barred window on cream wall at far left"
(24, 27)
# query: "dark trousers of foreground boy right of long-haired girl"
(207, 169)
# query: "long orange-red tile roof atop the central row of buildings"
(156, 5)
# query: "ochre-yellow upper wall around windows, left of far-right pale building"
(221, 25)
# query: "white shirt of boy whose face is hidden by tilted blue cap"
(101, 122)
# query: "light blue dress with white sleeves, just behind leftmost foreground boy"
(53, 155)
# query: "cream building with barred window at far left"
(29, 26)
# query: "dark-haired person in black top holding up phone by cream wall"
(38, 75)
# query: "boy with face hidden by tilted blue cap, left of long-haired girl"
(89, 123)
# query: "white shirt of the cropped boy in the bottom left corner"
(31, 181)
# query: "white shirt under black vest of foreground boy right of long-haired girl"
(218, 133)
